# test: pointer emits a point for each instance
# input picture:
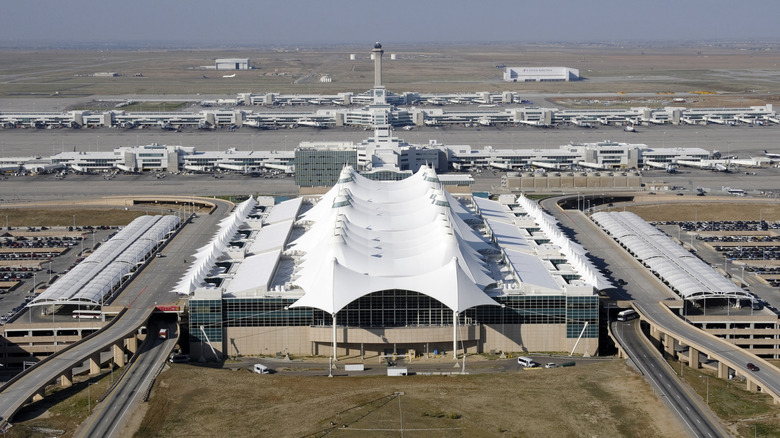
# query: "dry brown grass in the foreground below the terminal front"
(604, 399)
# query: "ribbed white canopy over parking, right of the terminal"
(685, 273)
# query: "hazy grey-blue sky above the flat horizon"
(317, 23)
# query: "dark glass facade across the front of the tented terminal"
(395, 308)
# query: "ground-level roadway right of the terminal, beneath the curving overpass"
(698, 419)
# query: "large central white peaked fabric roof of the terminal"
(366, 236)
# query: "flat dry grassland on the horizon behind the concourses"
(435, 69)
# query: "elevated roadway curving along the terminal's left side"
(150, 287)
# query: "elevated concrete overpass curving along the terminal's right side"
(648, 297)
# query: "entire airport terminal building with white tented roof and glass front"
(391, 267)
